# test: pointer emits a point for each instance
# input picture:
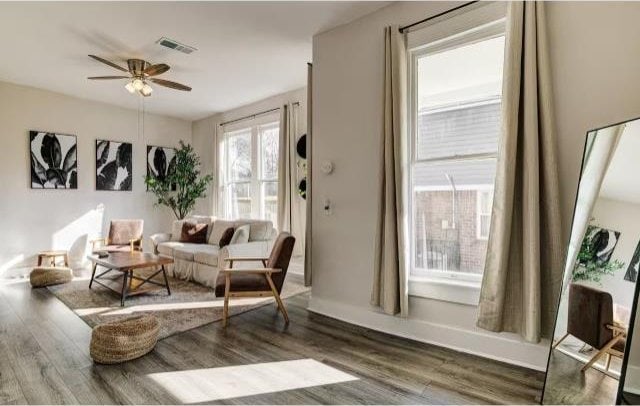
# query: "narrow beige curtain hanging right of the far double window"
(284, 170)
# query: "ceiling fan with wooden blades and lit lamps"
(139, 74)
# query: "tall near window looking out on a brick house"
(456, 92)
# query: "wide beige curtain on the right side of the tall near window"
(523, 270)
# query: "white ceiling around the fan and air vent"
(246, 50)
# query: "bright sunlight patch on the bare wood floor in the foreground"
(206, 385)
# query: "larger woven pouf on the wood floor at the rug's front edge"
(124, 340)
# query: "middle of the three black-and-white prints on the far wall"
(114, 165)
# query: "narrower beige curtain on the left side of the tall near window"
(390, 277)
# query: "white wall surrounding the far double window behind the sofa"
(204, 142)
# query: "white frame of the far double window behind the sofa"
(254, 127)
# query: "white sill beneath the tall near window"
(463, 292)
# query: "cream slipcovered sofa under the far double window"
(201, 262)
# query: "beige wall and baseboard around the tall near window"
(594, 72)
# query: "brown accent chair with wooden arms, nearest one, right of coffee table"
(257, 282)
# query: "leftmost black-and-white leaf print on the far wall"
(54, 160)
